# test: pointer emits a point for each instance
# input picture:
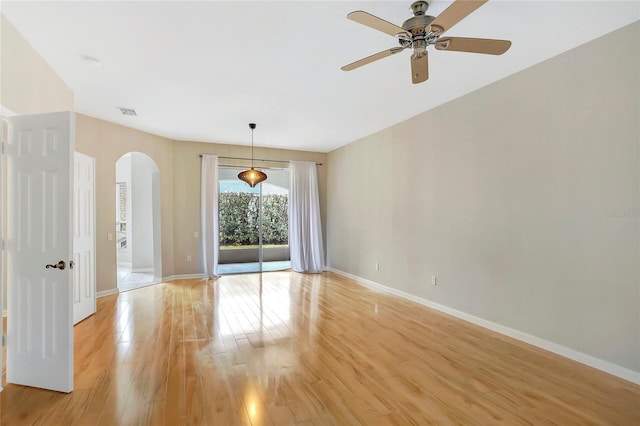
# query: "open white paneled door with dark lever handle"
(40, 246)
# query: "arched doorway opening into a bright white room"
(138, 222)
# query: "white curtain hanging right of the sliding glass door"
(305, 229)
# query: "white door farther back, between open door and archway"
(84, 258)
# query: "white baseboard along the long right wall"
(606, 366)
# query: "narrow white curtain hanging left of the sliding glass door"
(209, 215)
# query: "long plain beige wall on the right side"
(510, 196)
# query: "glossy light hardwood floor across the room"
(283, 348)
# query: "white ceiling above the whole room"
(201, 71)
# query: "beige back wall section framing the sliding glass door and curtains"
(187, 191)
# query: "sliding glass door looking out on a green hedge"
(253, 222)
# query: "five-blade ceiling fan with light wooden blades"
(421, 30)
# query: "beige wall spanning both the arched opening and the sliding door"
(179, 166)
